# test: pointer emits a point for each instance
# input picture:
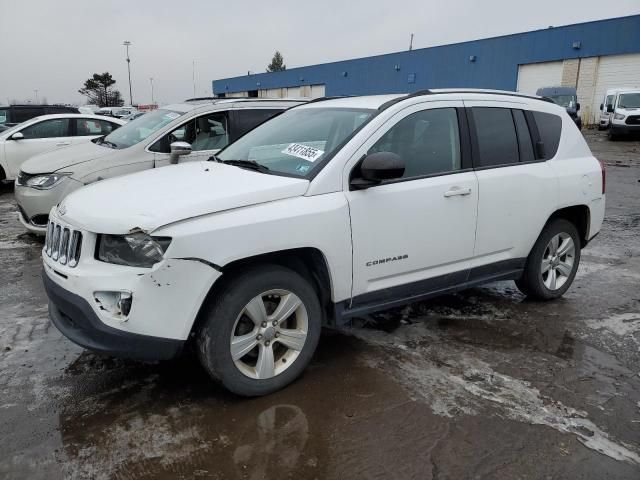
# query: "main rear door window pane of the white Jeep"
(496, 139)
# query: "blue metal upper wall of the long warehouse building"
(488, 63)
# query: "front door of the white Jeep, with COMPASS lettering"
(417, 233)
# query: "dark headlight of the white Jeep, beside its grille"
(134, 250)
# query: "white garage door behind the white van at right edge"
(616, 71)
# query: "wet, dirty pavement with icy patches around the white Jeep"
(483, 384)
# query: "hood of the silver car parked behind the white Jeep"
(65, 158)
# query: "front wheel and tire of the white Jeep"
(235, 313)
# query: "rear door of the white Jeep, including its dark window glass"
(517, 190)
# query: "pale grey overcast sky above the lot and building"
(53, 46)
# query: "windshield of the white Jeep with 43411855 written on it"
(296, 142)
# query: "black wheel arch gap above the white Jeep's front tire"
(308, 262)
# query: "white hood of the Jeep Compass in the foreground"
(150, 199)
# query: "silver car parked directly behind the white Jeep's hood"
(182, 131)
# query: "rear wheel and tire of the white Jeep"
(556, 280)
